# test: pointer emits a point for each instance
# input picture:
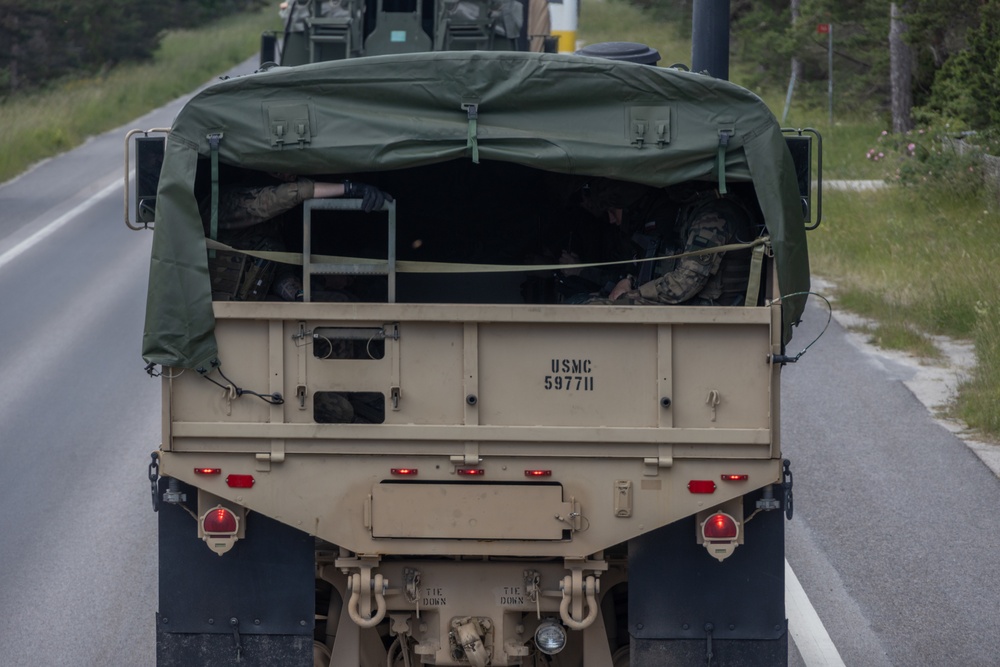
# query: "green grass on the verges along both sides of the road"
(918, 261)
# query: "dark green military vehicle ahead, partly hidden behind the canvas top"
(316, 31)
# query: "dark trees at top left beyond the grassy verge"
(41, 40)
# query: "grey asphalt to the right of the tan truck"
(896, 532)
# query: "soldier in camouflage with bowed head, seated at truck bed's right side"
(676, 221)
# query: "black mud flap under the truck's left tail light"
(253, 606)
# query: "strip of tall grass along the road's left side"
(39, 125)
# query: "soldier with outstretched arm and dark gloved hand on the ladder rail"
(249, 218)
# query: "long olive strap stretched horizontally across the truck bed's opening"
(405, 266)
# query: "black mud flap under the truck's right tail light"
(687, 608)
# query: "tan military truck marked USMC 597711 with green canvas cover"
(437, 456)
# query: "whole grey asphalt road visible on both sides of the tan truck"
(894, 537)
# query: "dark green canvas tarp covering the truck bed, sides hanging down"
(555, 112)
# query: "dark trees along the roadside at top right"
(952, 52)
